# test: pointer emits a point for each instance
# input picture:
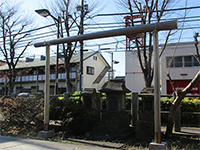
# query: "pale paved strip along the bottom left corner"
(13, 143)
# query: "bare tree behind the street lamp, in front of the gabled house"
(70, 18)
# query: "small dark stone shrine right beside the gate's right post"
(145, 124)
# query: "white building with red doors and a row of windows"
(183, 68)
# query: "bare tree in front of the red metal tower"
(149, 11)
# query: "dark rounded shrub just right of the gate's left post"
(75, 118)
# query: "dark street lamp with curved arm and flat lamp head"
(45, 13)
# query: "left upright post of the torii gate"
(47, 86)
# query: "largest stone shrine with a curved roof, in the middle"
(114, 122)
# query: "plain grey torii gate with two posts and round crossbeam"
(154, 27)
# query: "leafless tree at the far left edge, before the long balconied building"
(12, 30)
